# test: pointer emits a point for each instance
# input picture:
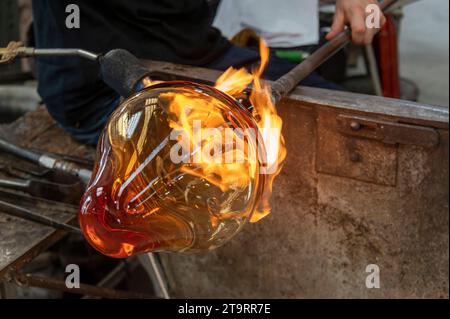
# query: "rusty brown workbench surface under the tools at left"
(20, 240)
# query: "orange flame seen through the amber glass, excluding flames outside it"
(191, 109)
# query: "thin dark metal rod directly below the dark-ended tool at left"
(25, 213)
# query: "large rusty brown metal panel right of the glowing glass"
(324, 229)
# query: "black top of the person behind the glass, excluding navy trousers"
(178, 31)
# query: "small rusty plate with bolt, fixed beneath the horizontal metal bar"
(349, 156)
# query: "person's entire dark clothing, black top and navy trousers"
(176, 31)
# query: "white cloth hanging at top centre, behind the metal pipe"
(282, 23)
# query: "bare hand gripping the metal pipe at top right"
(353, 13)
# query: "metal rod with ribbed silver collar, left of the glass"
(47, 160)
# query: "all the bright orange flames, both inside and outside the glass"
(235, 175)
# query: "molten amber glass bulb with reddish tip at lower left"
(139, 200)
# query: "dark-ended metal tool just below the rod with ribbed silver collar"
(53, 191)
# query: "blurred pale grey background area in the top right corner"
(423, 49)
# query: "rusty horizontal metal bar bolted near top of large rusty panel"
(387, 132)
